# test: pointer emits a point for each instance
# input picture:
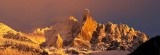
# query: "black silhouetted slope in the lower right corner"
(150, 47)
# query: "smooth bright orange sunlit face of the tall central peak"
(87, 27)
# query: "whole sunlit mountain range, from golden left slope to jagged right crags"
(71, 37)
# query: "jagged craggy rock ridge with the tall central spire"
(90, 35)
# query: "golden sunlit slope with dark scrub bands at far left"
(14, 43)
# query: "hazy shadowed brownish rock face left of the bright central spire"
(67, 30)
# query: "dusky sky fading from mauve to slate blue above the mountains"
(26, 15)
